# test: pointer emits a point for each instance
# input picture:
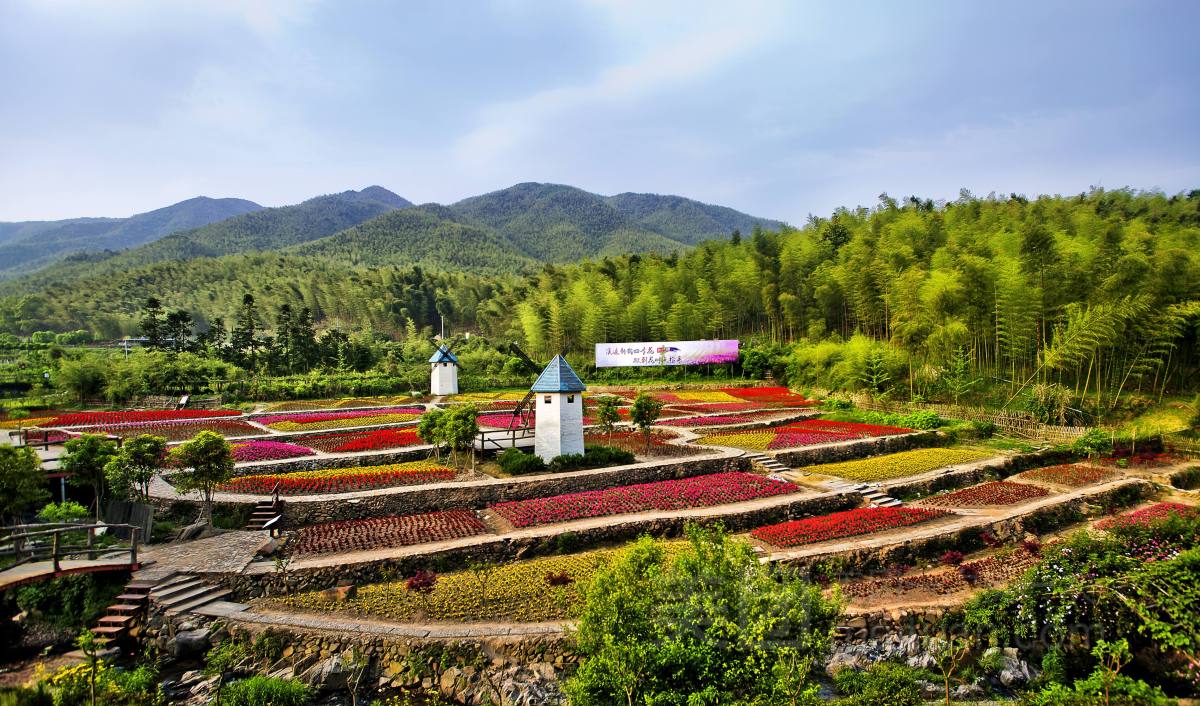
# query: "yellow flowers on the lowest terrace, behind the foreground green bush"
(518, 593)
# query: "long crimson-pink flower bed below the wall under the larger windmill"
(665, 495)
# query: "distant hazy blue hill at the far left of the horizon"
(26, 247)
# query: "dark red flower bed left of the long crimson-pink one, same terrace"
(385, 533)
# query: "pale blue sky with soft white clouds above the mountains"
(781, 110)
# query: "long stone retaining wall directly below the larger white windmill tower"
(482, 494)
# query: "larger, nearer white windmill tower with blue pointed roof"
(560, 411)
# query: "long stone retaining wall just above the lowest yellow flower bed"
(505, 549)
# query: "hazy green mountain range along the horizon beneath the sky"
(512, 230)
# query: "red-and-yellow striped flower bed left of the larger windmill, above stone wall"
(341, 480)
